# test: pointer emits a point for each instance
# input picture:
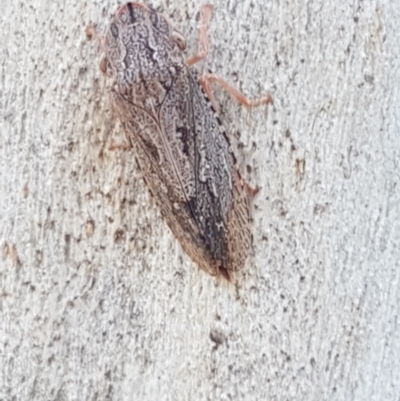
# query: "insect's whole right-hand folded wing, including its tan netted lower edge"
(219, 182)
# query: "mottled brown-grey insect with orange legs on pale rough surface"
(181, 148)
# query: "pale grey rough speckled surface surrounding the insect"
(97, 299)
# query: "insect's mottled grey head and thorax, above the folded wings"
(140, 48)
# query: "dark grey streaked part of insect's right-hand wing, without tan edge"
(213, 169)
